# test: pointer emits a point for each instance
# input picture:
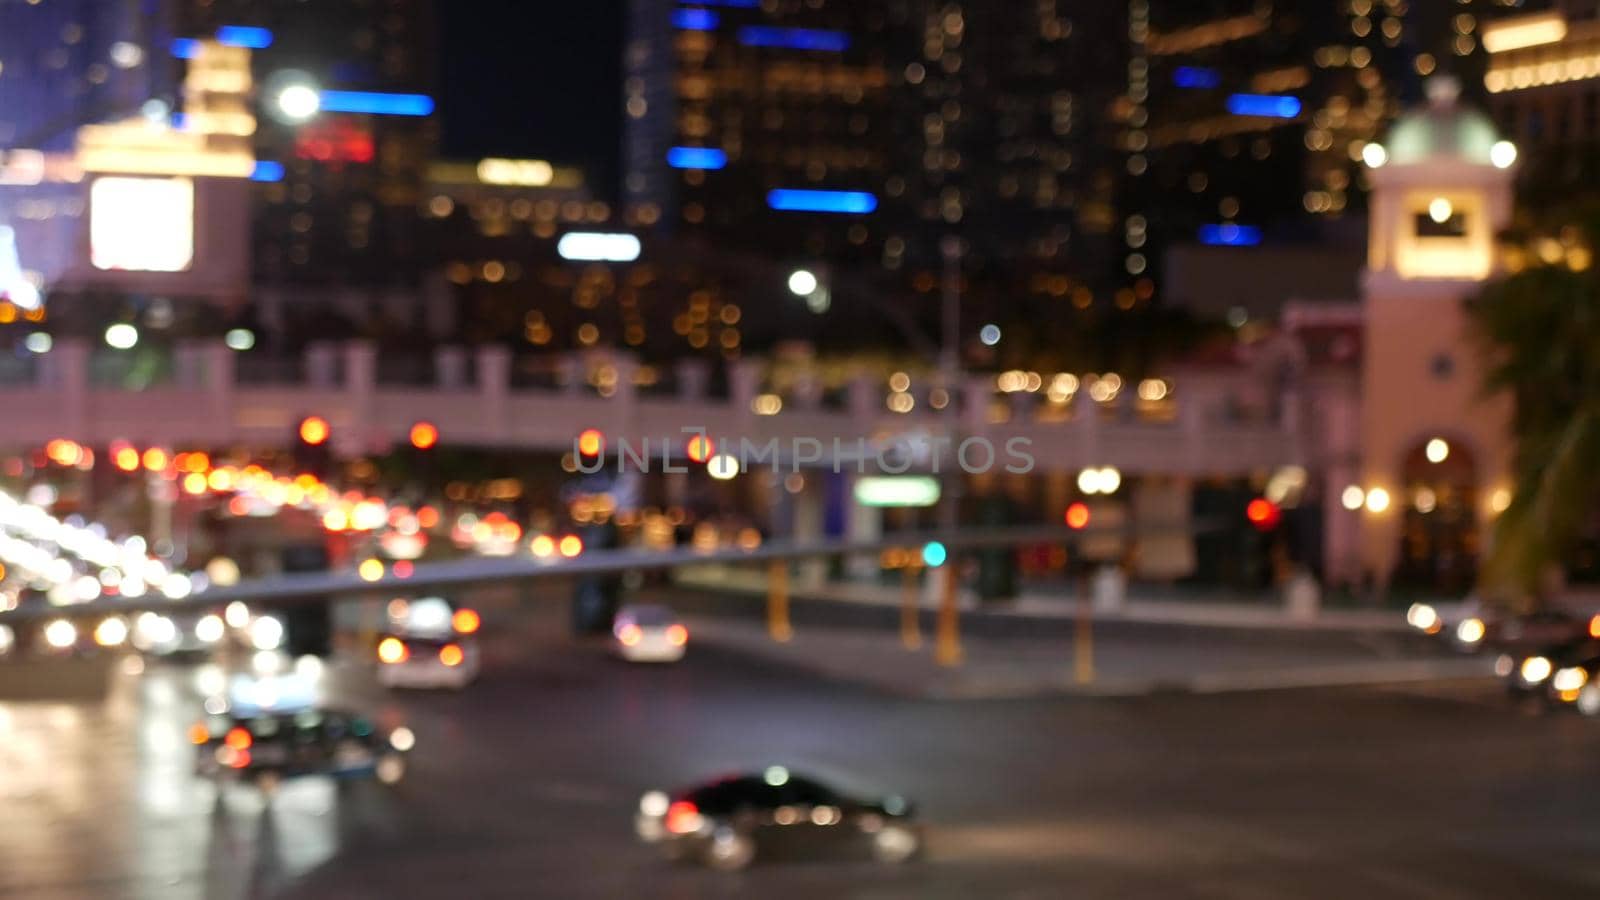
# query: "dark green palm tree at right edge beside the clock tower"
(1540, 329)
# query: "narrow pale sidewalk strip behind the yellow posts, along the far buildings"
(1034, 605)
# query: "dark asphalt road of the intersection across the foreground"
(526, 784)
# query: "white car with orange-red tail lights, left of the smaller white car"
(430, 645)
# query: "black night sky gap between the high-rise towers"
(534, 79)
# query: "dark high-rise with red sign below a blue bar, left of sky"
(346, 206)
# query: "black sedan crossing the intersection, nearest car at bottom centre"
(722, 824)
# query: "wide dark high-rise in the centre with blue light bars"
(862, 135)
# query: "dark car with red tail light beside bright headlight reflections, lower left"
(270, 745)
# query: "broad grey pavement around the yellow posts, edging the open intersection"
(850, 633)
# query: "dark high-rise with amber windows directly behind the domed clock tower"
(1247, 119)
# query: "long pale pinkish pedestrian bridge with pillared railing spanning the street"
(210, 396)
